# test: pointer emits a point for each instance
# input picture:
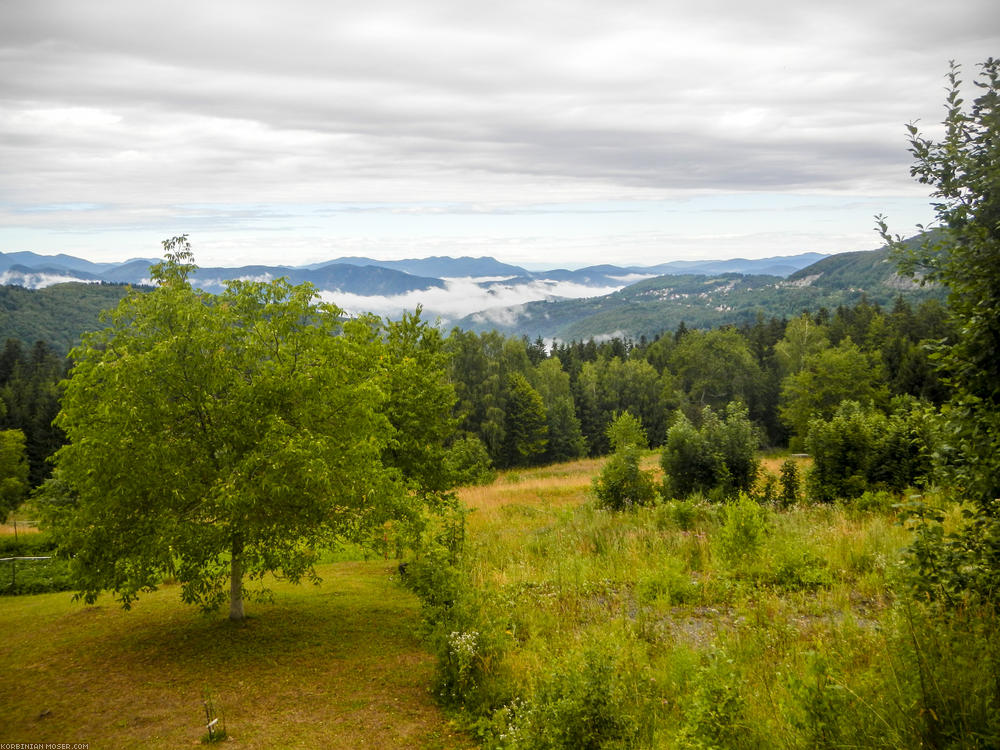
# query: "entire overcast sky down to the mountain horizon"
(548, 133)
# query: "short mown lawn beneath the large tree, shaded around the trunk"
(336, 665)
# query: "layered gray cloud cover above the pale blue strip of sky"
(147, 107)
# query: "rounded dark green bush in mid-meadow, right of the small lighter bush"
(719, 456)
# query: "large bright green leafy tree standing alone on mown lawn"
(213, 438)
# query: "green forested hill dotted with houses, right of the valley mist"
(655, 305)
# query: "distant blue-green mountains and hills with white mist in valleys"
(57, 297)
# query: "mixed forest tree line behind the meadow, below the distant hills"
(528, 403)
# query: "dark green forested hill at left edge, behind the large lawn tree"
(57, 314)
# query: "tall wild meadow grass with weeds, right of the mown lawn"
(695, 625)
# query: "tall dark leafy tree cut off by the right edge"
(963, 253)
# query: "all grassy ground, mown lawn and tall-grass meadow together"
(545, 622)
